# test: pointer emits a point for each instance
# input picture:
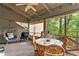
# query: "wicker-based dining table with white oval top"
(42, 43)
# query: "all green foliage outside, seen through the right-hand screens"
(53, 25)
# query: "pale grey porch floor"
(21, 49)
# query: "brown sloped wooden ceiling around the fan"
(44, 10)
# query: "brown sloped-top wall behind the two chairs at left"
(8, 19)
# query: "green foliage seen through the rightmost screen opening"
(73, 25)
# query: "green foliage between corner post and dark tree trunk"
(53, 25)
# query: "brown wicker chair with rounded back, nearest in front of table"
(54, 50)
